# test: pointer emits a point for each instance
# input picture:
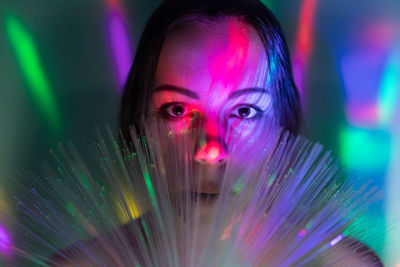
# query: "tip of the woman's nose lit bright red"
(212, 152)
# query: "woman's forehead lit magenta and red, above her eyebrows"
(203, 57)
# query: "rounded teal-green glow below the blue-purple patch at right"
(364, 149)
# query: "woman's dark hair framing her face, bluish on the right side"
(137, 91)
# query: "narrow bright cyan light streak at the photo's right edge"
(389, 91)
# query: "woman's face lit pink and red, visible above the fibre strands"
(216, 73)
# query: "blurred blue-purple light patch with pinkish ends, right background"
(363, 68)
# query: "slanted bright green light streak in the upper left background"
(32, 71)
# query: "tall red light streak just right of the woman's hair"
(304, 44)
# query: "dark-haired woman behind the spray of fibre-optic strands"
(223, 67)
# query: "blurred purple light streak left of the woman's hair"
(120, 46)
